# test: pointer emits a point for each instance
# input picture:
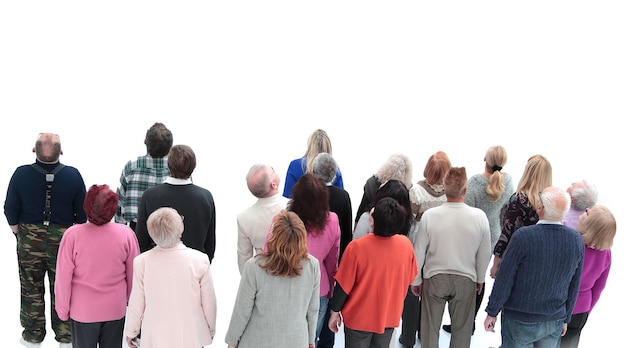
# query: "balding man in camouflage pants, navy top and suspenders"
(39, 207)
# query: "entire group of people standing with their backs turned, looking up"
(134, 265)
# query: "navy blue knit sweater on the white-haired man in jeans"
(539, 276)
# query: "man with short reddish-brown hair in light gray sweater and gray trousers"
(453, 243)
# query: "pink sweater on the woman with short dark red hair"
(94, 272)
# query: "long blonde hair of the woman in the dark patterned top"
(537, 176)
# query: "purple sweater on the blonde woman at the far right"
(596, 267)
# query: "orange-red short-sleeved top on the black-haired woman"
(376, 272)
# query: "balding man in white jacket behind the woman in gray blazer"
(254, 222)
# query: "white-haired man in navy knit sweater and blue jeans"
(537, 283)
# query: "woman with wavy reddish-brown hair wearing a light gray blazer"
(278, 299)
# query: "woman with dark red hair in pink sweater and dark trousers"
(94, 273)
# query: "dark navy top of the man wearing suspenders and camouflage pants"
(26, 196)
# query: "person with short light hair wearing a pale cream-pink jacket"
(173, 299)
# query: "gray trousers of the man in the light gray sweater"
(459, 293)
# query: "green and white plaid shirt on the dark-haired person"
(138, 176)
